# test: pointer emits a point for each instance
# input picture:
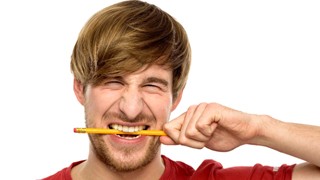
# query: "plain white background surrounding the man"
(260, 57)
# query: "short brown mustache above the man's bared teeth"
(122, 116)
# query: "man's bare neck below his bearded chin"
(93, 168)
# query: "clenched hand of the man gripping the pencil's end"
(213, 126)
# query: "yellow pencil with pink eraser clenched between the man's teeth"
(114, 131)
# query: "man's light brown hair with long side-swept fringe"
(127, 36)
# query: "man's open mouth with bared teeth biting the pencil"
(128, 129)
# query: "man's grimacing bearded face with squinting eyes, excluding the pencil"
(142, 100)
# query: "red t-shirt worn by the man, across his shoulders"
(209, 169)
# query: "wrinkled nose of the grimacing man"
(131, 103)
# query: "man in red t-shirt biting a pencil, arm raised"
(130, 66)
